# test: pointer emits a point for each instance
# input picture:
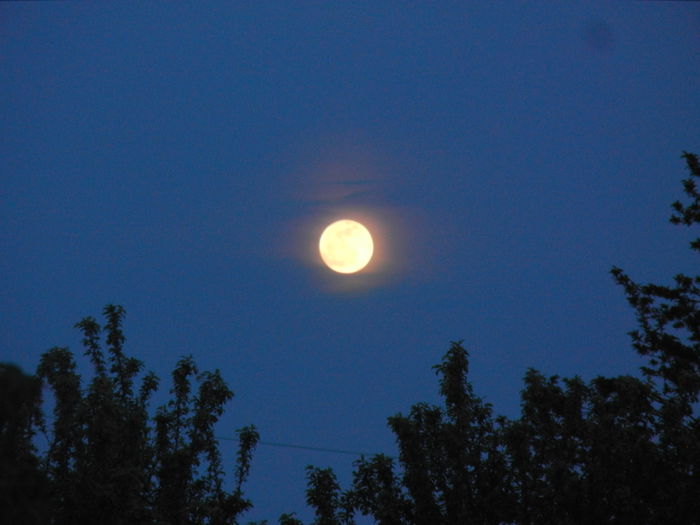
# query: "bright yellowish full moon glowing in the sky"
(346, 246)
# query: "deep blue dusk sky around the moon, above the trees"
(180, 159)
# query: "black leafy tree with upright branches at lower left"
(108, 461)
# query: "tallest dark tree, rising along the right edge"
(669, 335)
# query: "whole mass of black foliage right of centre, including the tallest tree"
(613, 450)
